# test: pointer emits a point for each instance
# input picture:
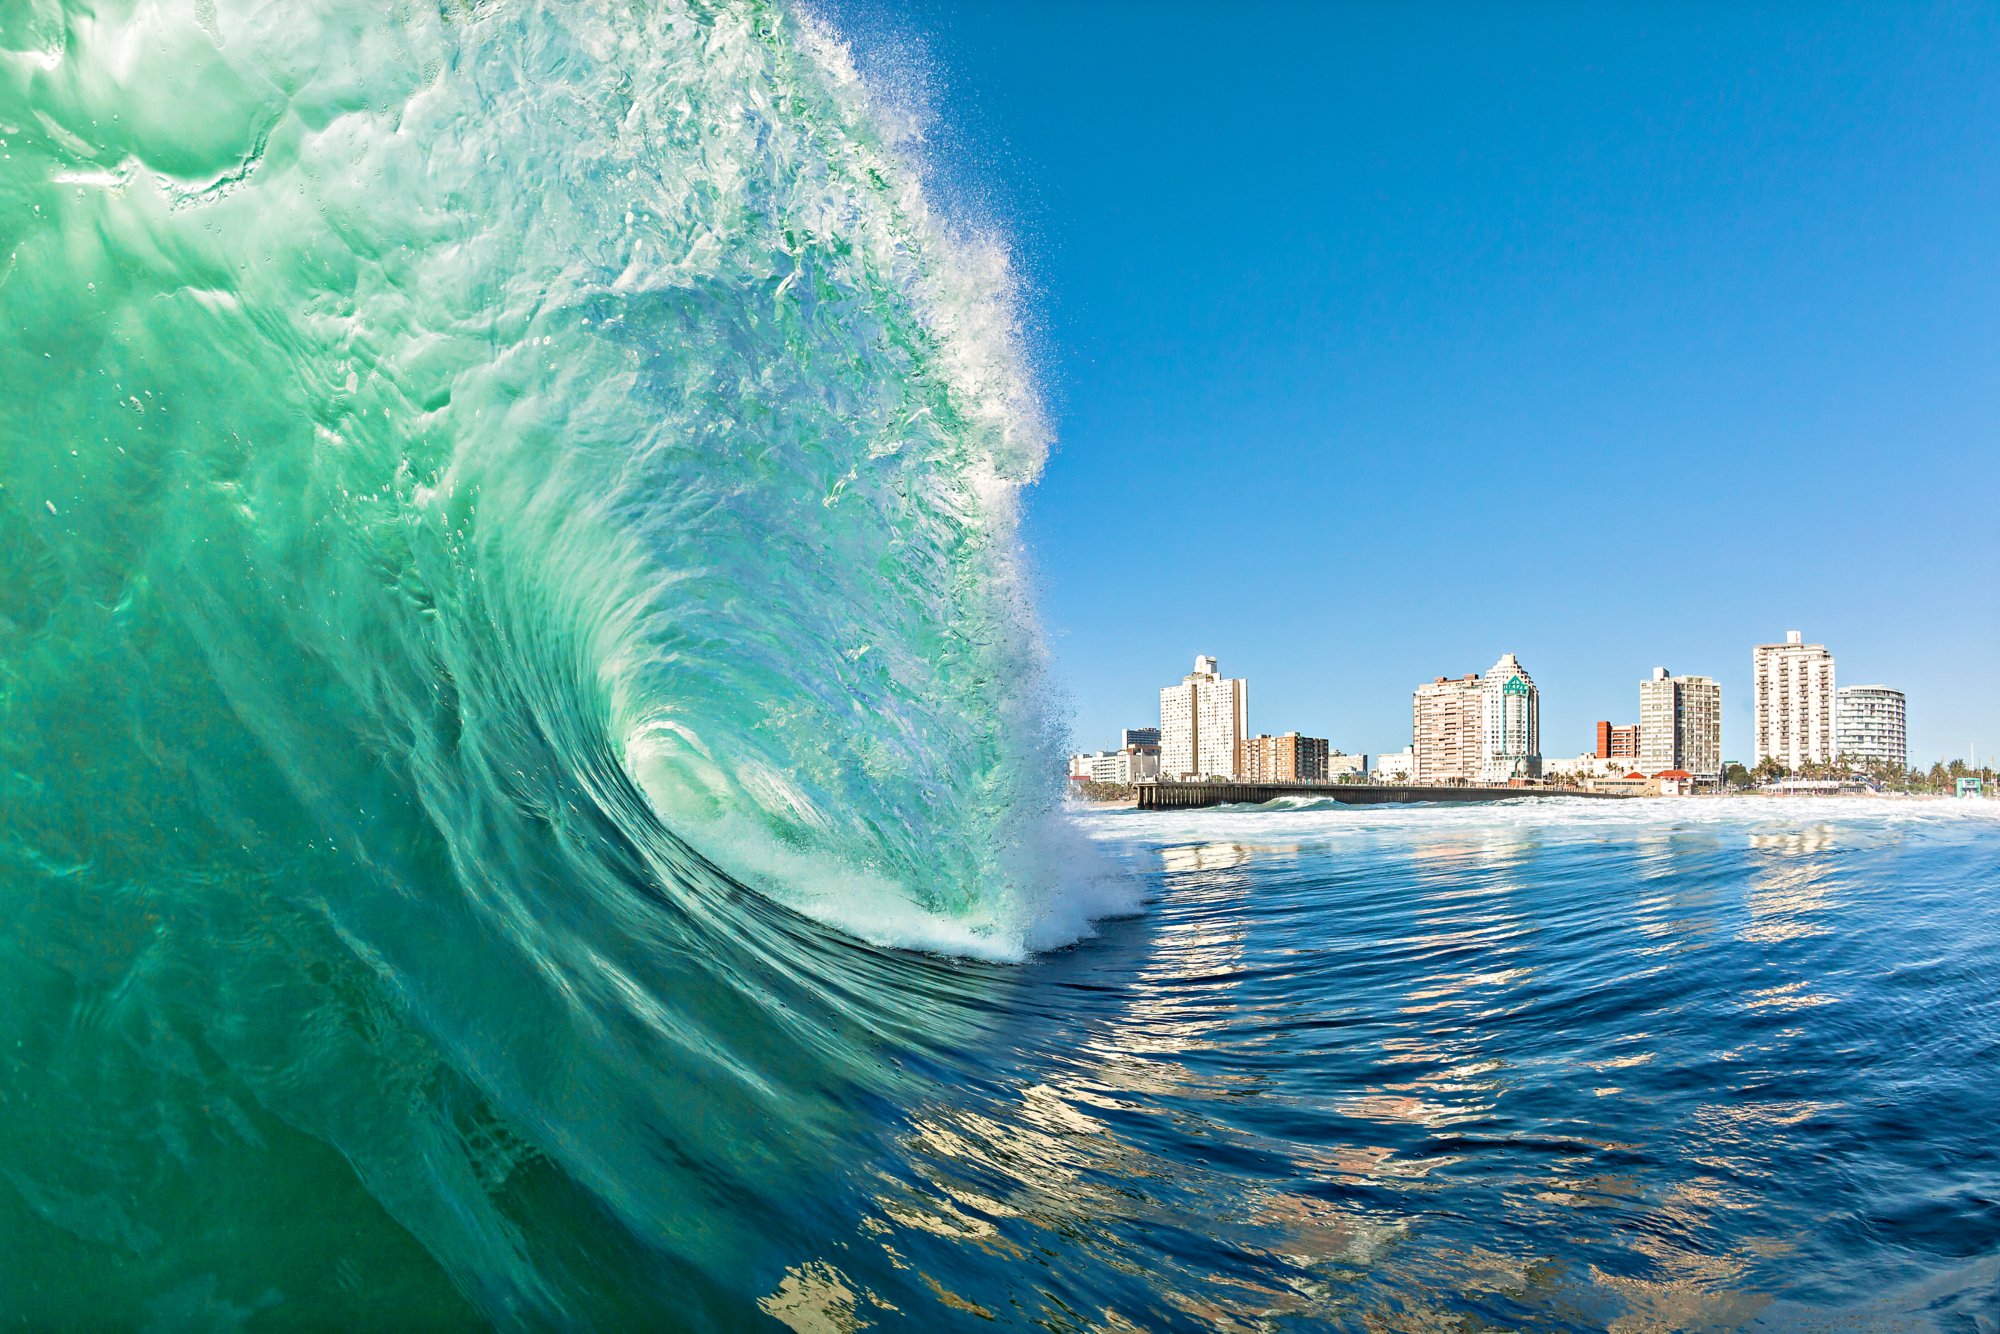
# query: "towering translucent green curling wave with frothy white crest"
(501, 505)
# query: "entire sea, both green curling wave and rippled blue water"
(527, 789)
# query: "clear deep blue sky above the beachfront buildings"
(1385, 339)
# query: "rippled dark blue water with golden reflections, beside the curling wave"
(1667, 1065)
